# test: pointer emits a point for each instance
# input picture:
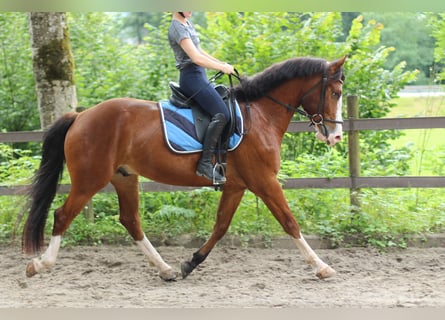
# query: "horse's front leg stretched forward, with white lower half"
(273, 196)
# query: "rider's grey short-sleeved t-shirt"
(178, 32)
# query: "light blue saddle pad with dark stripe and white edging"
(180, 133)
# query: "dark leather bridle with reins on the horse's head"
(316, 118)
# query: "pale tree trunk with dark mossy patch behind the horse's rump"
(53, 65)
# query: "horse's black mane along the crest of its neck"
(257, 86)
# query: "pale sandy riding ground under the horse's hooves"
(119, 276)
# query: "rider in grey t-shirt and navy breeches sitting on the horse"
(192, 61)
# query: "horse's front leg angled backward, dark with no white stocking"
(228, 203)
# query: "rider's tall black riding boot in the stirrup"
(205, 164)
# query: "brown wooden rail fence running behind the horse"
(354, 182)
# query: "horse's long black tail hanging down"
(45, 182)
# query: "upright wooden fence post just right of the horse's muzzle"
(354, 152)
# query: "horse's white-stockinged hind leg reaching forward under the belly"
(127, 189)
